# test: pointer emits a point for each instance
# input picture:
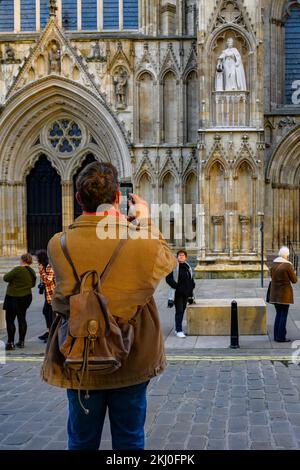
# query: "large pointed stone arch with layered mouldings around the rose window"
(31, 108)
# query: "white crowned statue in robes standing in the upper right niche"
(230, 73)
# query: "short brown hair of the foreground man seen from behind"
(97, 184)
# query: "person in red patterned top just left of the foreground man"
(47, 286)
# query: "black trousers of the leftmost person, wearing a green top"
(16, 307)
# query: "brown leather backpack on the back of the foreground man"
(91, 338)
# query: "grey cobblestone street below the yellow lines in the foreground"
(193, 405)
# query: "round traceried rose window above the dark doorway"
(65, 136)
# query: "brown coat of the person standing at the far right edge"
(282, 274)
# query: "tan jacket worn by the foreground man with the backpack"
(132, 281)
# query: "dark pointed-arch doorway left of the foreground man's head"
(44, 204)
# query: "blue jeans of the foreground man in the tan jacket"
(127, 414)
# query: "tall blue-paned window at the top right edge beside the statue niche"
(292, 53)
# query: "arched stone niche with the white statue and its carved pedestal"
(230, 80)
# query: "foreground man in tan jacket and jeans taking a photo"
(127, 290)
